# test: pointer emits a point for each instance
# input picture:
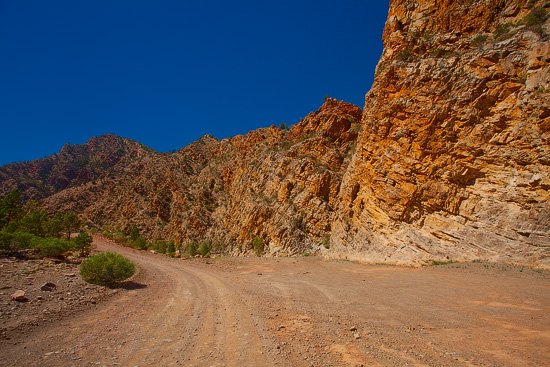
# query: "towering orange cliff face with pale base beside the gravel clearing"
(453, 157)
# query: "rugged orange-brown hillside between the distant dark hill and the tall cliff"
(275, 184)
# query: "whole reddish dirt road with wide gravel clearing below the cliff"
(302, 312)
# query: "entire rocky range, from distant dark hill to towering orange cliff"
(449, 161)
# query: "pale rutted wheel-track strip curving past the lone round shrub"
(203, 321)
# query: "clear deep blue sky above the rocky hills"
(165, 73)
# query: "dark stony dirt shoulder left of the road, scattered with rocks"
(52, 291)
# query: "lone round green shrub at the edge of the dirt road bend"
(107, 269)
